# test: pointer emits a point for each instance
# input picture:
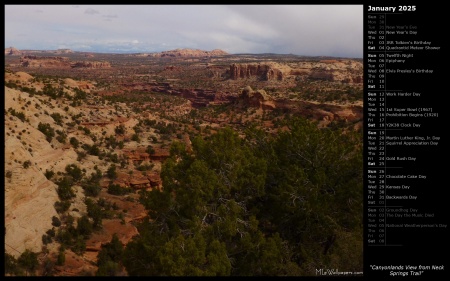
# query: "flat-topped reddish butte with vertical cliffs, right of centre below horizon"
(263, 72)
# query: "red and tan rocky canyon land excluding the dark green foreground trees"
(118, 115)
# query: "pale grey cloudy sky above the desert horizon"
(313, 30)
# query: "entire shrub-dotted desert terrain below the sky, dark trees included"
(162, 166)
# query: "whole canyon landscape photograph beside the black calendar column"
(183, 140)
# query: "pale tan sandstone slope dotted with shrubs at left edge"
(29, 195)
